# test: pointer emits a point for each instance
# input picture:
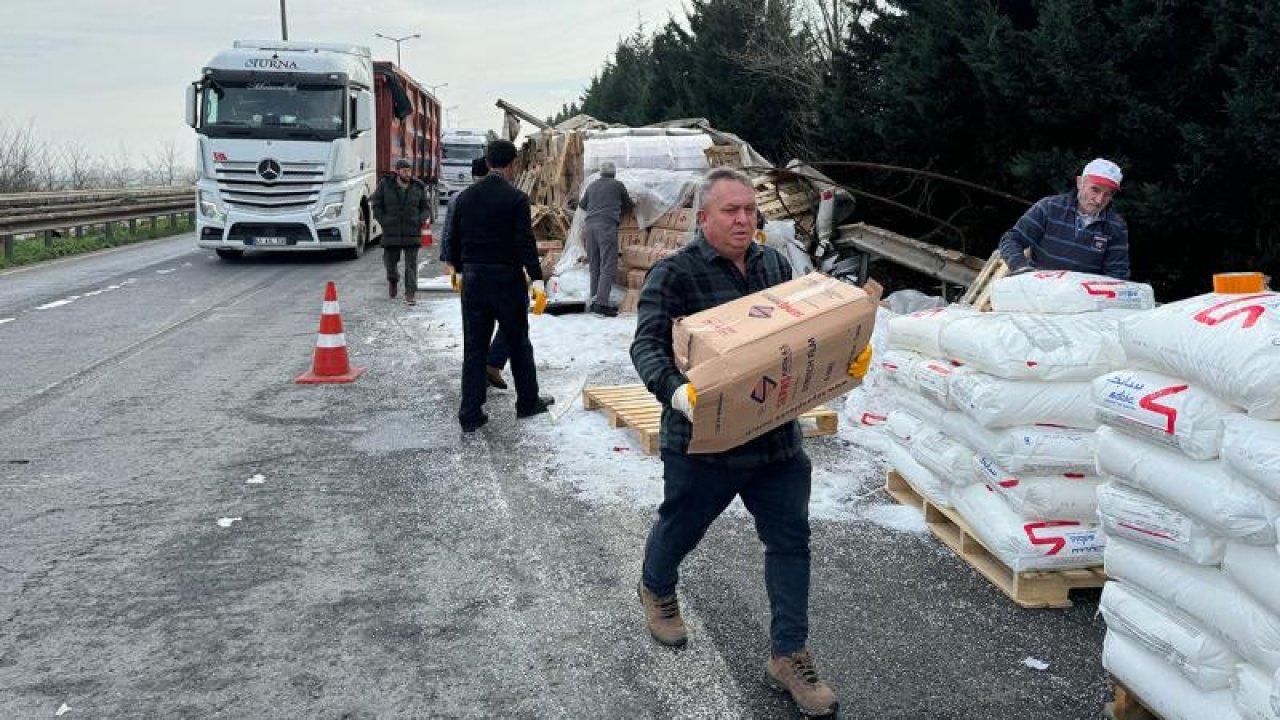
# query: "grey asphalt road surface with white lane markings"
(387, 567)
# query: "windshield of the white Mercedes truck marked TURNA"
(275, 110)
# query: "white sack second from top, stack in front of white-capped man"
(1044, 348)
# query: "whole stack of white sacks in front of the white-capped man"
(1009, 393)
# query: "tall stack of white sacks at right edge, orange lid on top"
(1191, 452)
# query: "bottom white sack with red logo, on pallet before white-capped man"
(1026, 545)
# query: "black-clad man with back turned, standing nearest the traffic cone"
(492, 247)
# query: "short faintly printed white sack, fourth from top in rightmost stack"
(1136, 517)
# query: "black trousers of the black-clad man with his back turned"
(495, 294)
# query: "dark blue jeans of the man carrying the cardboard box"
(696, 493)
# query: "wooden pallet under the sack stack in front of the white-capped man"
(1030, 589)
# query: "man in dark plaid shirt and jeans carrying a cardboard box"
(771, 473)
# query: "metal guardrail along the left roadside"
(48, 213)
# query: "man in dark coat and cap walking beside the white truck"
(401, 206)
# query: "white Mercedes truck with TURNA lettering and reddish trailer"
(292, 139)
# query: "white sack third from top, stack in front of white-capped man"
(996, 403)
